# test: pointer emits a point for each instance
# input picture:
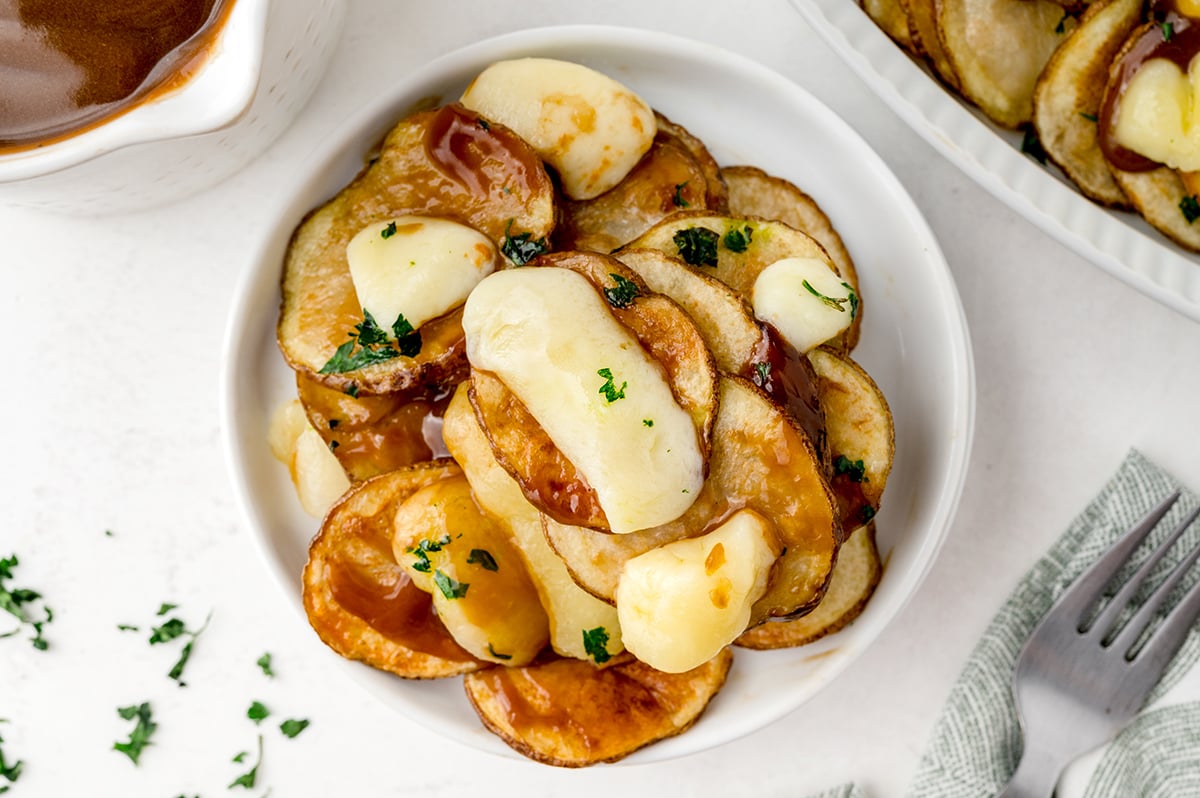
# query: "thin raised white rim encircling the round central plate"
(256, 287)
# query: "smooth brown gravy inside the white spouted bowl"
(68, 65)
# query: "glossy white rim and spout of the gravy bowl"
(214, 99)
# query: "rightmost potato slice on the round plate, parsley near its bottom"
(860, 434)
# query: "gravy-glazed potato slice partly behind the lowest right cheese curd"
(761, 460)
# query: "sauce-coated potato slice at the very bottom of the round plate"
(571, 713)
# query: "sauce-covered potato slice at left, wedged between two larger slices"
(374, 435)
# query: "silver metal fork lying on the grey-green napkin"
(1081, 679)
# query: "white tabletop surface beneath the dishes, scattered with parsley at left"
(115, 331)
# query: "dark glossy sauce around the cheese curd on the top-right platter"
(1183, 46)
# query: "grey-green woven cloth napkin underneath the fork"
(977, 742)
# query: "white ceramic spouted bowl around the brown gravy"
(266, 63)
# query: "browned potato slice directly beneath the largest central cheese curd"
(549, 479)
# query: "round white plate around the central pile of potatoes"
(915, 344)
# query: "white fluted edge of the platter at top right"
(1118, 242)
